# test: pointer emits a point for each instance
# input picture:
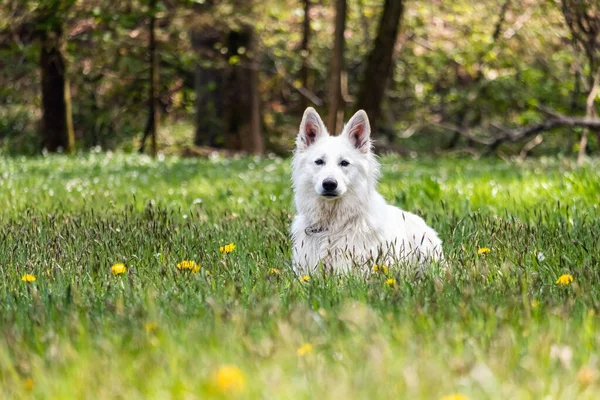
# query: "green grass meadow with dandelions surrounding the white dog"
(494, 325)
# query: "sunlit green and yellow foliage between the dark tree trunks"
(450, 66)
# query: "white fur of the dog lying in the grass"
(354, 227)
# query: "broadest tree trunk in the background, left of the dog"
(227, 79)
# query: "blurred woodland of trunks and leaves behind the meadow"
(188, 76)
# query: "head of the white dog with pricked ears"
(334, 165)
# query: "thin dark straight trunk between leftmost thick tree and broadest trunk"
(152, 122)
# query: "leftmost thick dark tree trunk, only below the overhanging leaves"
(57, 117)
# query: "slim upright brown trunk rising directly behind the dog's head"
(337, 65)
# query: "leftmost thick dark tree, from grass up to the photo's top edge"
(57, 120)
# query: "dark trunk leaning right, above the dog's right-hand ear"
(379, 62)
